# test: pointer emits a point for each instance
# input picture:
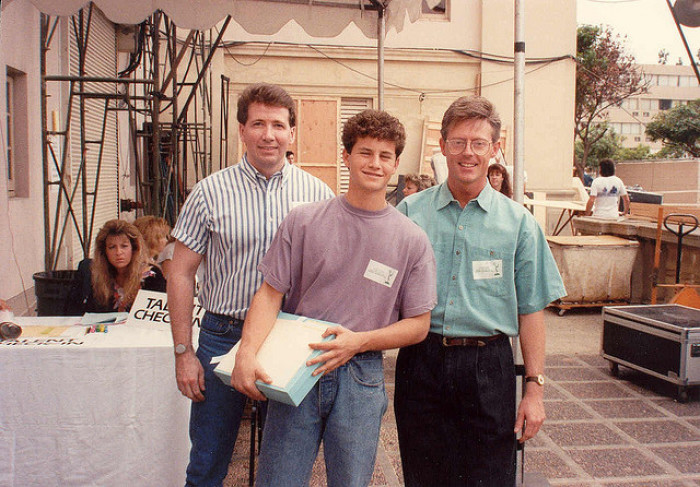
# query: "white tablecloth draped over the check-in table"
(104, 412)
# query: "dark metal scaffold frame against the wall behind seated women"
(166, 92)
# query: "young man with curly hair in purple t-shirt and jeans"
(352, 260)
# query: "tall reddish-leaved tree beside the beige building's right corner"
(605, 76)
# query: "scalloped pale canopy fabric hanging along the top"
(262, 17)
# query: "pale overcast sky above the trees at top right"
(648, 25)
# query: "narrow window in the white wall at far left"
(16, 132)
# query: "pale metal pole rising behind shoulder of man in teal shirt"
(518, 105)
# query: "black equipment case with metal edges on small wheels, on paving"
(659, 340)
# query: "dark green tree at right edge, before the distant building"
(678, 128)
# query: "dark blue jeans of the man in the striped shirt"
(214, 422)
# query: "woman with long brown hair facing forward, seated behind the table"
(111, 280)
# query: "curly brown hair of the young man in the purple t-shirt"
(375, 124)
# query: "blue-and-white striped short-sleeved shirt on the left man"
(231, 217)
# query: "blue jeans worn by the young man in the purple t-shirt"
(344, 410)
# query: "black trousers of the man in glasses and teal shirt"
(455, 414)
